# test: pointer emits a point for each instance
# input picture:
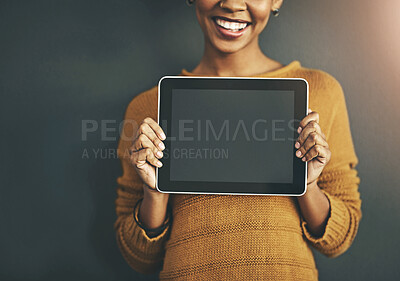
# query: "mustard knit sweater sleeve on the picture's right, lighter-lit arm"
(339, 181)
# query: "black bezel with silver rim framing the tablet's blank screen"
(301, 92)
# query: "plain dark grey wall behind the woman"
(62, 62)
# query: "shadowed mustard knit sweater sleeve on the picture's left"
(143, 253)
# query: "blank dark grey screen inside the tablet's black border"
(227, 135)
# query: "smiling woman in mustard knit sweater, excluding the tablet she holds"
(233, 237)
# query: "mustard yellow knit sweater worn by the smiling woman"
(239, 237)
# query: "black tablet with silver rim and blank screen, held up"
(231, 135)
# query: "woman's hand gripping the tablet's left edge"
(146, 151)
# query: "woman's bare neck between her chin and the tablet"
(246, 62)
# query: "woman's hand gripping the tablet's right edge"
(312, 146)
